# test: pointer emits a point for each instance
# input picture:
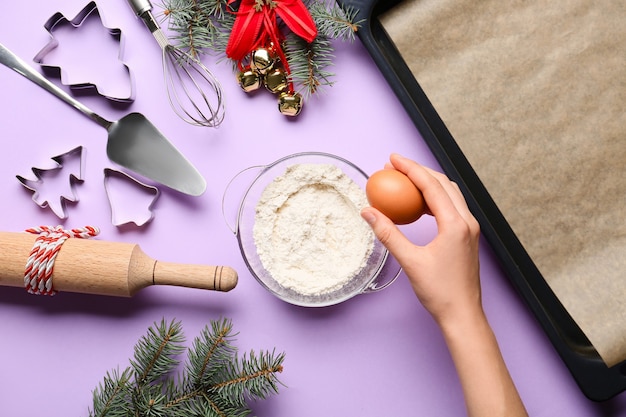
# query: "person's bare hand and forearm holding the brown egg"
(445, 277)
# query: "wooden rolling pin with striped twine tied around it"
(94, 266)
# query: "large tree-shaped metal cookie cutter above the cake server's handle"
(59, 19)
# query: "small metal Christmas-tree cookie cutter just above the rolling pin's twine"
(40, 173)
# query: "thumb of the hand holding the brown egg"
(388, 234)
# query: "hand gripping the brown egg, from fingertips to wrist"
(444, 273)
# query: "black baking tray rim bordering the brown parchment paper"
(597, 381)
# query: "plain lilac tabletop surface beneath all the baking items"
(375, 355)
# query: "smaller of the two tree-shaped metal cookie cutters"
(38, 186)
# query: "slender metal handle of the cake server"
(10, 60)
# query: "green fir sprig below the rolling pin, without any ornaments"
(214, 381)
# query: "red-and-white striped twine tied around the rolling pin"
(40, 264)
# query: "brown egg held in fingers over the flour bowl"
(395, 195)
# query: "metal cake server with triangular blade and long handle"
(133, 141)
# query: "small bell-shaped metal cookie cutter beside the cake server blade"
(120, 217)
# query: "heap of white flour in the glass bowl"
(308, 231)
